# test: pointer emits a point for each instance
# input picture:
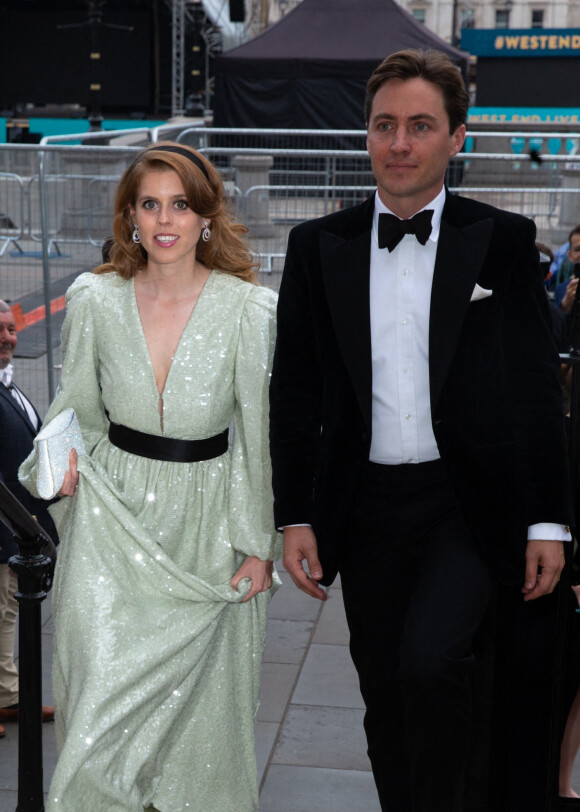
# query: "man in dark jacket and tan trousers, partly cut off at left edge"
(19, 423)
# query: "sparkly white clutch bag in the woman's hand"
(53, 445)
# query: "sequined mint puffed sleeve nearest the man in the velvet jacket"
(251, 516)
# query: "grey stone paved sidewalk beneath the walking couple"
(309, 740)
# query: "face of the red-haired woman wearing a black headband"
(168, 228)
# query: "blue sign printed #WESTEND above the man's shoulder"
(519, 42)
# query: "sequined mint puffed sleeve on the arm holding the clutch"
(79, 384)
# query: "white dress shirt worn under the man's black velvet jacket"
(400, 299)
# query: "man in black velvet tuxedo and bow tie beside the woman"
(417, 434)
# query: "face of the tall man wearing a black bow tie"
(409, 143)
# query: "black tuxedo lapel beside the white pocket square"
(461, 252)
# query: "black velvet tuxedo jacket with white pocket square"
(495, 398)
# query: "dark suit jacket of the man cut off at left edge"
(16, 436)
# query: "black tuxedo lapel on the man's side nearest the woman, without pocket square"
(345, 265)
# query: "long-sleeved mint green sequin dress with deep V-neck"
(156, 668)
